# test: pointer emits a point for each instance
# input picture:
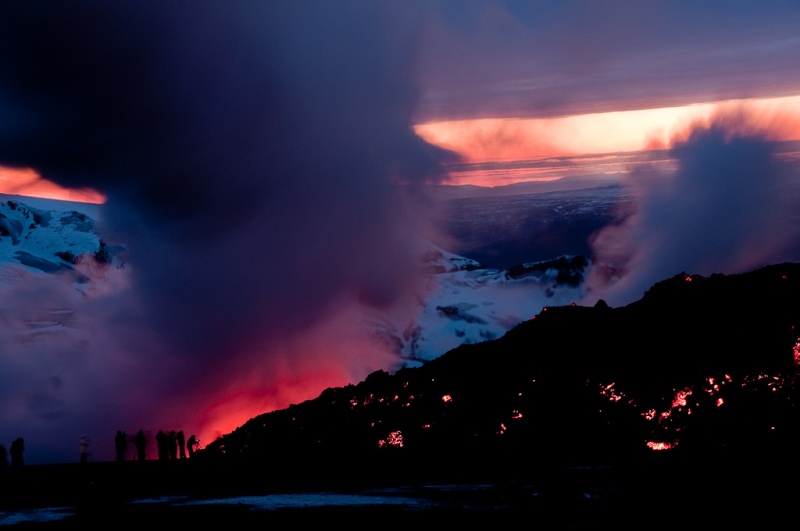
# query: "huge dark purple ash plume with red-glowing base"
(261, 172)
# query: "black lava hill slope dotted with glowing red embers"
(700, 370)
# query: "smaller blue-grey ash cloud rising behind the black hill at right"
(730, 206)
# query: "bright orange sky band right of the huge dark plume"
(524, 139)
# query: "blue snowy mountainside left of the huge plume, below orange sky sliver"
(51, 258)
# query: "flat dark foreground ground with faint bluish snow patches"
(664, 491)
